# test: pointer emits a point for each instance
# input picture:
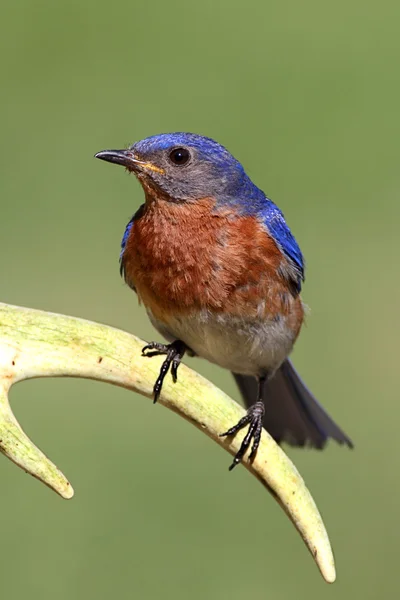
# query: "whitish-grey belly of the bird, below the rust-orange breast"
(246, 347)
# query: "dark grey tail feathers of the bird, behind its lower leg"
(292, 414)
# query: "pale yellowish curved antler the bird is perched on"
(40, 344)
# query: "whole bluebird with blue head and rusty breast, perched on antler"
(220, 275)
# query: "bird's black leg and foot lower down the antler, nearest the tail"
(254, 419)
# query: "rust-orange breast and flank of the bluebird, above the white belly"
(182, 257)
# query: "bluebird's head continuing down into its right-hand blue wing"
(186, 167)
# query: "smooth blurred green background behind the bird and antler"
(307, 96)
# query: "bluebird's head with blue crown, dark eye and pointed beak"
(183, 166)
